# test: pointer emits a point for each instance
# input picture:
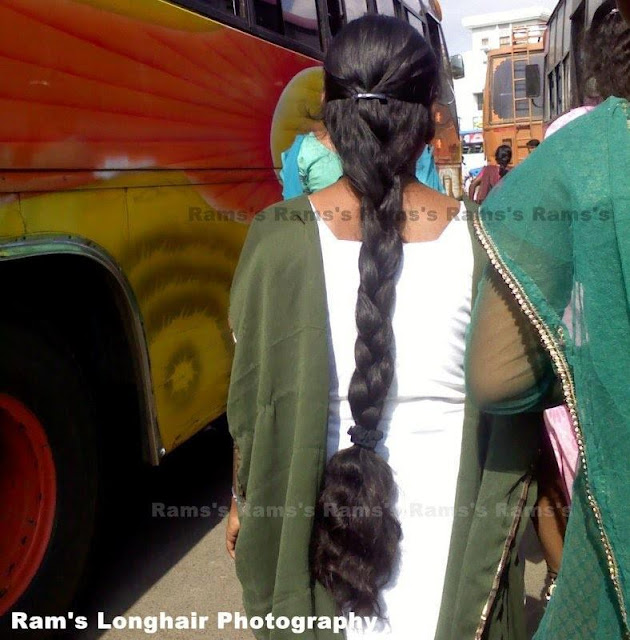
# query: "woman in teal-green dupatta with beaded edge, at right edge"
(559, 277)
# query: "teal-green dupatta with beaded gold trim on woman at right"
(558, 232)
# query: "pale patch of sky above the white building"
(459, 39)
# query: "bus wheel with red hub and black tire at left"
(47, 475)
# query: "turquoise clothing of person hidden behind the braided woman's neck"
(308, 166)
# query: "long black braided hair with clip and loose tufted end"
(381, 80)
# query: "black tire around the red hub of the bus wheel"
(46, 379)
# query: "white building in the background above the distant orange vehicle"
(489, 31)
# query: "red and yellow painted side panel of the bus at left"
(149, 131)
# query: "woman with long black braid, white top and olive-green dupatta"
(349, 310)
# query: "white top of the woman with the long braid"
(423, 415)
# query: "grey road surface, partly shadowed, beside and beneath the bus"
(159, 554)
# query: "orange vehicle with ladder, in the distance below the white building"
(510, 117)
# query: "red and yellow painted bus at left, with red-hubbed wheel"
(137, 139)
